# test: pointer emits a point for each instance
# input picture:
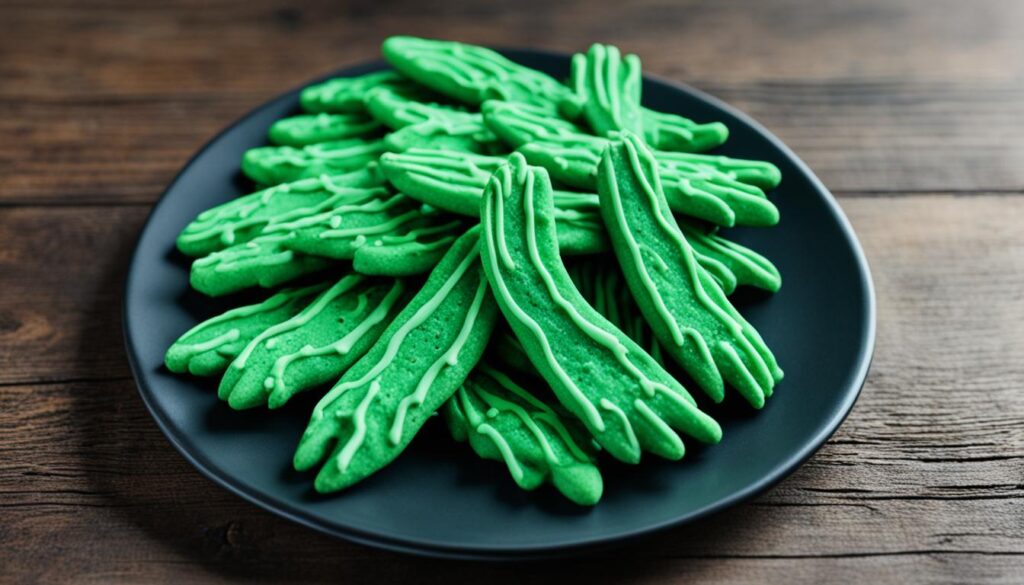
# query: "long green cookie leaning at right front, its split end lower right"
(690, 313)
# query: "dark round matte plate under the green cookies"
(438, 498)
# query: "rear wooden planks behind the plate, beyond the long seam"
(877, 97)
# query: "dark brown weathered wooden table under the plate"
(913, 113)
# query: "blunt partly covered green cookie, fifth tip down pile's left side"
(265, 262)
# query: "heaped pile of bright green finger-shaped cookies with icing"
(540, 262)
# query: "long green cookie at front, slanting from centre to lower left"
(371, 415)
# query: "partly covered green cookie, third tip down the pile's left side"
(275, 165)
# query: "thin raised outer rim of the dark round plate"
(422, 548)
